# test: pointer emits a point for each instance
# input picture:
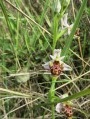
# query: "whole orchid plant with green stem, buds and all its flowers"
(56, 66)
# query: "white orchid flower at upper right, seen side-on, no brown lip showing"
(64, 23)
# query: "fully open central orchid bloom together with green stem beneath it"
(55, 66)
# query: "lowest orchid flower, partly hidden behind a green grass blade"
(65, 107)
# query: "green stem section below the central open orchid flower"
(52, 96)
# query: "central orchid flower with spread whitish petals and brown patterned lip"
(56, 66)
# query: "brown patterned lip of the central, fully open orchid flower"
(56, 68)
